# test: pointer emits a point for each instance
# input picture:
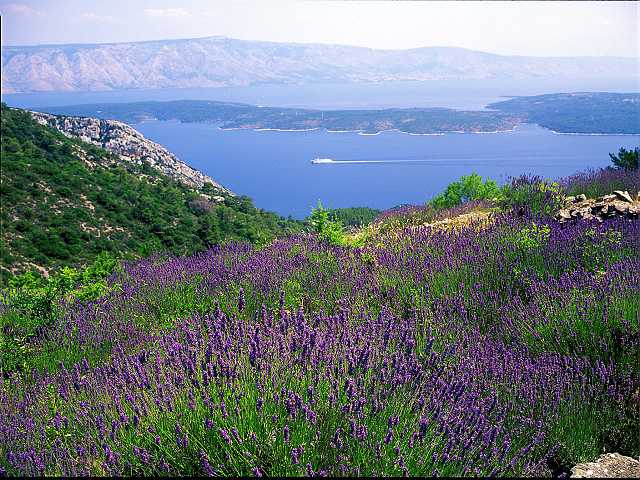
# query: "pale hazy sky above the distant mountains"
(521, 28)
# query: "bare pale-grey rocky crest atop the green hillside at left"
(130, 145)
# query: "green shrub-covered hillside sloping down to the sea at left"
(65, 200)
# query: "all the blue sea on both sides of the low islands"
(380, 171)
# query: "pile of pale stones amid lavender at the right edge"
(618, 204)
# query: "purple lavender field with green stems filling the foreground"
(507, 346)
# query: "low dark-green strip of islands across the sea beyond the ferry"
(604, 113)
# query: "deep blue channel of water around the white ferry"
(274, 168)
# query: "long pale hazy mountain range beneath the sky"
(220, 61)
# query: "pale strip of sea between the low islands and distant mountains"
(457, 94)
